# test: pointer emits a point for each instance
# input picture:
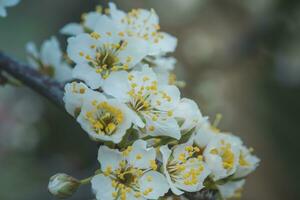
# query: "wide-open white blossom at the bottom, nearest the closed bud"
(129, 175)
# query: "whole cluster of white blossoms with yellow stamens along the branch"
(154, 143)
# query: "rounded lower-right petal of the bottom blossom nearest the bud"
(156, 181)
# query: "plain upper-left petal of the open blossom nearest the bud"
(109, 158)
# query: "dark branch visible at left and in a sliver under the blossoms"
(53, 91)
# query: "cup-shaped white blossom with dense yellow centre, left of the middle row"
(105, 119)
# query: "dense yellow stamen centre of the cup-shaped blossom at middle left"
(105, 118)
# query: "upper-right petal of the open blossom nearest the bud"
(140, 156)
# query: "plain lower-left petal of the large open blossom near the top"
(86, 73)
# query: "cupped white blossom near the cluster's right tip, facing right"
(222, 155)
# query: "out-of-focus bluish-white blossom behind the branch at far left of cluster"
(49, 61)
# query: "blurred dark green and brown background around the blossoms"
(238, 57)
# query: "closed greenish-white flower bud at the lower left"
(63, 185)
